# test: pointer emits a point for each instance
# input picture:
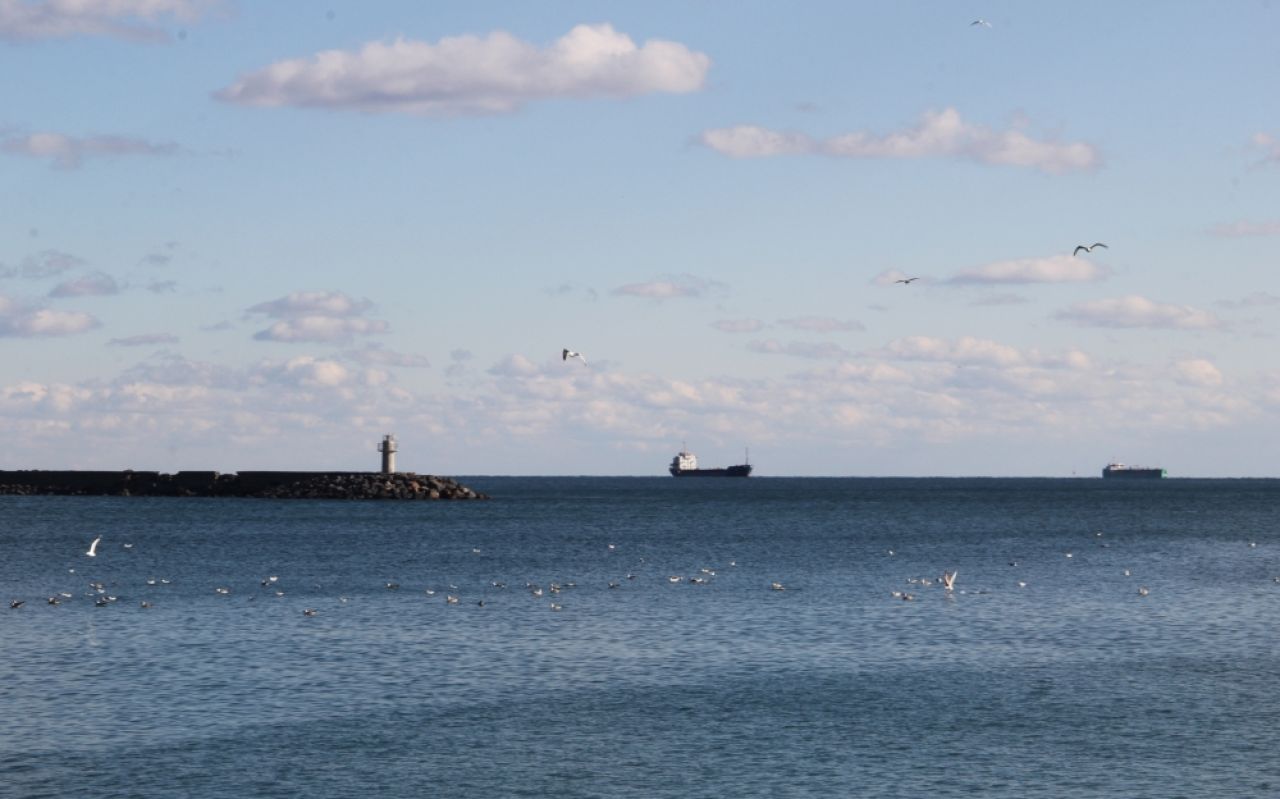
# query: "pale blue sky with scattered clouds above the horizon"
(252, 236)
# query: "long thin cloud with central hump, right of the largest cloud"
(939, 135)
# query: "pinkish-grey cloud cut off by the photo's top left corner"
(136, 20)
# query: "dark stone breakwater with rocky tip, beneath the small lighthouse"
(268, 485)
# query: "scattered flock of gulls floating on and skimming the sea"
(947, 581)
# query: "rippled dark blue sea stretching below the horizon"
(1073, 686)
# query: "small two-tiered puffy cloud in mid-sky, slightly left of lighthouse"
(317, 317)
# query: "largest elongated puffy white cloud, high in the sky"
(474, 75)
